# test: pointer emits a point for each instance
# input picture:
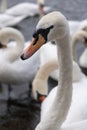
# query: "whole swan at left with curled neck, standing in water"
(13, 70)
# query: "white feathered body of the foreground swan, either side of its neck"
(77, 110)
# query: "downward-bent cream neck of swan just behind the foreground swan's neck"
(40, 81)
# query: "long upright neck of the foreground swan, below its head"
(63, 96)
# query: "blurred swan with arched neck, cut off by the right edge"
(80, 36)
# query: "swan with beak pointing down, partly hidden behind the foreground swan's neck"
(40, 85)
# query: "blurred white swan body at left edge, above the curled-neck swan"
(8, 20)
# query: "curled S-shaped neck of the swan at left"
(14, 52)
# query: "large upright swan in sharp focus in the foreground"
(55, 107)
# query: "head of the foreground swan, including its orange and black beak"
(51, 26)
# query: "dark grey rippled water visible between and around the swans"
(27, 117)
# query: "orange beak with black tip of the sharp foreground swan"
(32, 48)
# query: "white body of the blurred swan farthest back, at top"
(25, 9)
